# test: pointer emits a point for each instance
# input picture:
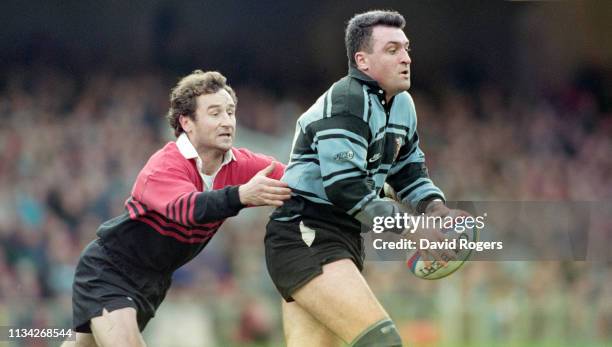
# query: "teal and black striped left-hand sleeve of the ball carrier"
(341, 143)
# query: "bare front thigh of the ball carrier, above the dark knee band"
(341, 300)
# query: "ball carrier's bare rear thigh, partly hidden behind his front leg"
(302, 329)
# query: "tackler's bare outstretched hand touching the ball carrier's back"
(262, 190)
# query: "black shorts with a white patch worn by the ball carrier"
(296, 251)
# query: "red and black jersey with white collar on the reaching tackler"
(170, 216)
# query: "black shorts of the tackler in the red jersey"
(100, 283)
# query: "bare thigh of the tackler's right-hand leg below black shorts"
(117, 329)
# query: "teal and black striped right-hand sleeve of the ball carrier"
(410, 179)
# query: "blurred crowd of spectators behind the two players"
(71, 148)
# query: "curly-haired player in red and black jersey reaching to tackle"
(179, 200)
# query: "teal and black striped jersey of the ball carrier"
(347, 145)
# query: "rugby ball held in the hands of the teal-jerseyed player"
(460, 239)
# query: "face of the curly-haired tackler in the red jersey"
(214, 126)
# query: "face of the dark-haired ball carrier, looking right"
(389, 62)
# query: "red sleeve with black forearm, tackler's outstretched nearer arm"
(172, 194)
